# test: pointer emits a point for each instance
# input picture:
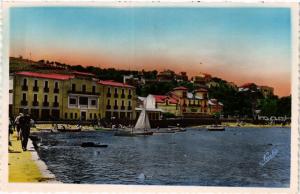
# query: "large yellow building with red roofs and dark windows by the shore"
(77, 96)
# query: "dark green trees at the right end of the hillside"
(246, 103)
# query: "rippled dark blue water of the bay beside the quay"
(194, 157)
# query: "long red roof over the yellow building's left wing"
(45, 75)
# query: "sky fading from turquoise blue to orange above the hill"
(236, 44)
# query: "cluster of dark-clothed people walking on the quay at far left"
(22, 124)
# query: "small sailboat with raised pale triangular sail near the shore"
(141, 127)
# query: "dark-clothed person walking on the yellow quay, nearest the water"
(25, 123)
